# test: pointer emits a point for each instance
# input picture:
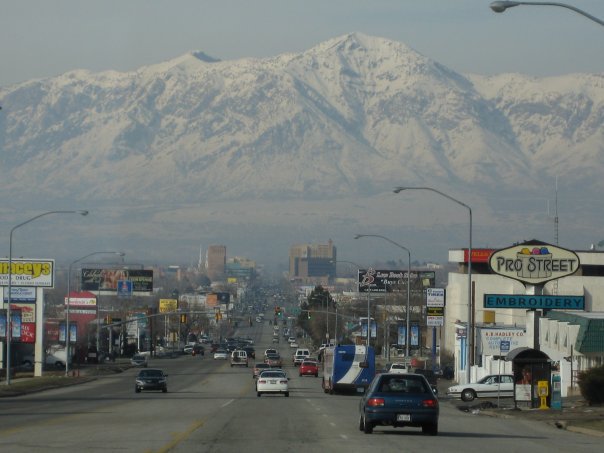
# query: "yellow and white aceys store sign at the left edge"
(28, 272)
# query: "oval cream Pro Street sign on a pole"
(534, 262)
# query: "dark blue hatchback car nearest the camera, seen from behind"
(399, 400)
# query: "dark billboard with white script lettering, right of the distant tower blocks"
(387, 281)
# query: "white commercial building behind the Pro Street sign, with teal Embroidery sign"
(563, 317)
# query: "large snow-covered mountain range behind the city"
(347, 119)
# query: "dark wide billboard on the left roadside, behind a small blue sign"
(105, 281)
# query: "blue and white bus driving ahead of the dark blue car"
(347, 367)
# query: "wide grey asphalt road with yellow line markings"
(211, 407)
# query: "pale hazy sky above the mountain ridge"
(42, 38)
